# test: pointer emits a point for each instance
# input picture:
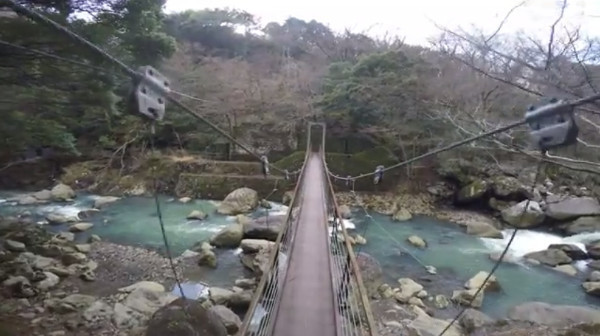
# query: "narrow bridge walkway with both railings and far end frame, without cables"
(312, 285)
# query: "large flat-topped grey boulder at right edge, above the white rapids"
(572, 207)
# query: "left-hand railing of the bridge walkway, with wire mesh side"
(261, 314)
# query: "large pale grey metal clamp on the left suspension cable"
(150, 93)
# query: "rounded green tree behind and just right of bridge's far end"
(377, 89)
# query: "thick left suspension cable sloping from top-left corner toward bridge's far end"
(35, 16)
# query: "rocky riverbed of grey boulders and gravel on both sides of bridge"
(54, 266)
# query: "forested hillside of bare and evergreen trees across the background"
(263, 81)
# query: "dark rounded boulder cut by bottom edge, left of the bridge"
(186, 318)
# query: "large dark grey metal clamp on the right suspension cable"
(552, 125)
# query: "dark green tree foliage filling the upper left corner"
(49, 103)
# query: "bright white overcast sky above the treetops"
(413, 19)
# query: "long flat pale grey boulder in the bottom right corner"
(553, 315)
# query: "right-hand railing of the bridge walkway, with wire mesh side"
(352, 299)
